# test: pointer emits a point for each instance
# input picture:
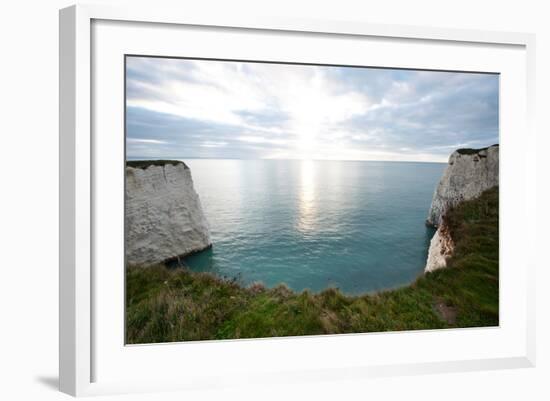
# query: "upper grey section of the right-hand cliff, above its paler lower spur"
(468, 174)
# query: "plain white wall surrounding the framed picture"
(29, 200)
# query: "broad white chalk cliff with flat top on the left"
(164, 216)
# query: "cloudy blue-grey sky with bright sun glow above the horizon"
(179, 108)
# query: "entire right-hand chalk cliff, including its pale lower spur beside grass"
(468, 174)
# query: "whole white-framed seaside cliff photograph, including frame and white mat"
(276, 200)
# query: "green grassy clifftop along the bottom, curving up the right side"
(166, 305)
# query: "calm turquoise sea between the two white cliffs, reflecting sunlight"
(358, 226)
